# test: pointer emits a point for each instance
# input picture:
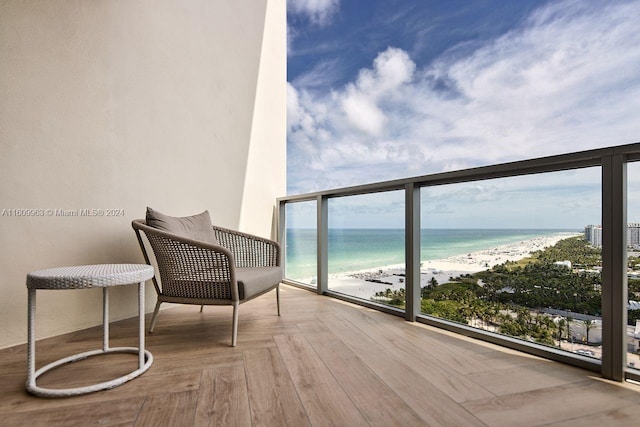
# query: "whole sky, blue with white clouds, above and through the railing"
(386, 89)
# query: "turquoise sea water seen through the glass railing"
(357, 249)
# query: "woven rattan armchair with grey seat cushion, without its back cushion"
(241, 267)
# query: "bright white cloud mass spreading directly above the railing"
(567, 80)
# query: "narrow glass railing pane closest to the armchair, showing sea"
(301, 242)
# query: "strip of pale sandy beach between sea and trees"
(365, 283)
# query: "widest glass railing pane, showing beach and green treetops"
(514, 256)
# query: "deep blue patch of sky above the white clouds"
(328, 52)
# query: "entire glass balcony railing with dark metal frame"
(532, 255)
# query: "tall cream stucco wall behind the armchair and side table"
(123, 104)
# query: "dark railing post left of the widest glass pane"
(412, 251)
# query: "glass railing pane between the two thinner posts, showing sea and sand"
(366, 247)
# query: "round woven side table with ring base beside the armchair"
(82, 277)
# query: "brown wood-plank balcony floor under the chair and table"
(323, 362)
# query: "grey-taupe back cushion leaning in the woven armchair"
(196, 227)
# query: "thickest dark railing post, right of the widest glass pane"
(614, 261)
